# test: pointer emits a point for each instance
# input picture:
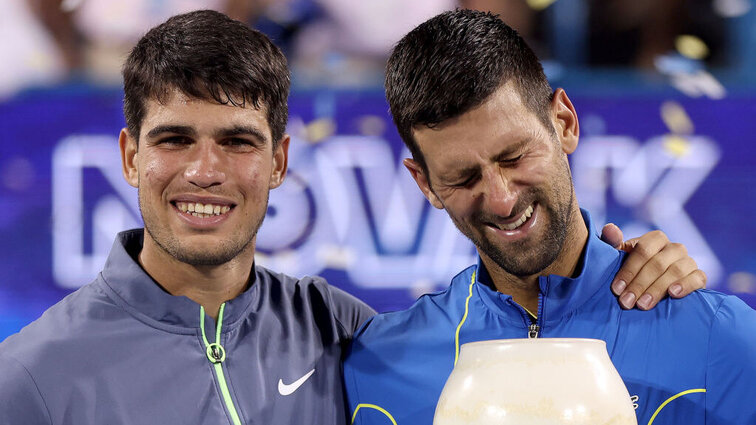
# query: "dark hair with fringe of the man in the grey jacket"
(207, 55)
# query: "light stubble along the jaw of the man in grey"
(221, 253)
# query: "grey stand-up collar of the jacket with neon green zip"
(141, 295)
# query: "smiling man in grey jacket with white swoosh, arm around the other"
(181, 327)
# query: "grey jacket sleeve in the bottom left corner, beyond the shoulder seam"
(20, 399)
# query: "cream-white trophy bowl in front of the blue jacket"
(546, 381)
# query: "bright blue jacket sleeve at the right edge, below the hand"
(731, 368)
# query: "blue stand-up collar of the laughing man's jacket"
(560, 295)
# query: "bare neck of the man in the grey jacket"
(208, 286)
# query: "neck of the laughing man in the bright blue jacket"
(525, 289)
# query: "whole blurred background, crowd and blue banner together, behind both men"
(665, 90)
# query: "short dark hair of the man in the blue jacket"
(452, 63)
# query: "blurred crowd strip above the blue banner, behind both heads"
(344, 43)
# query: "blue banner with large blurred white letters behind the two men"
(349, 210)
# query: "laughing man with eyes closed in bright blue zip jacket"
(490, 142)
